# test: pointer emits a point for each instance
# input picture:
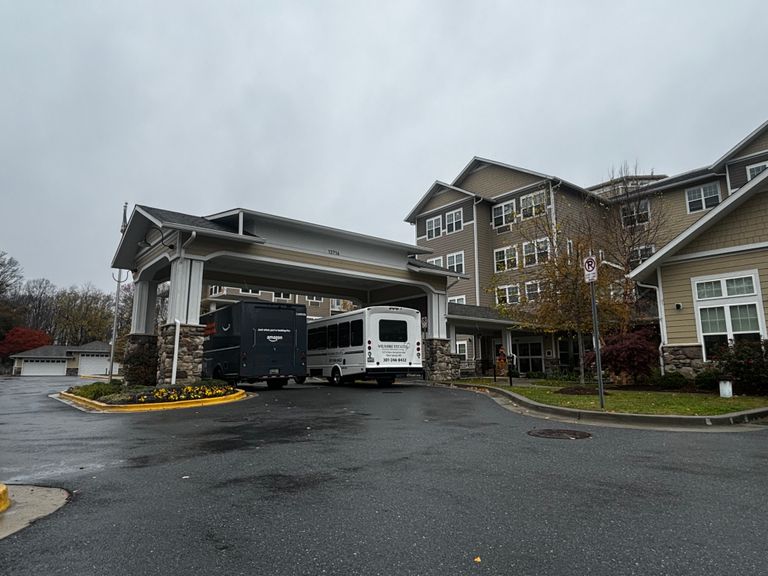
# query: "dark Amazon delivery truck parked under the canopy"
(256, 342)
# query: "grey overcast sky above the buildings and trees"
(344, 113)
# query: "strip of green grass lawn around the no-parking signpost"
(682, 403)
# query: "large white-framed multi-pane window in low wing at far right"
(728, 308)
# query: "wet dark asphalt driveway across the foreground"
(361, 480)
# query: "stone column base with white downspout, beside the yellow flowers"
(190, 358)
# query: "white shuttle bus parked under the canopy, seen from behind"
(380, 342)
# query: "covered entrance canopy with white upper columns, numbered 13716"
(249, 249)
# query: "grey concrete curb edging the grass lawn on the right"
(733, 418)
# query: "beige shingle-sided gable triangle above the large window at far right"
(746, 225)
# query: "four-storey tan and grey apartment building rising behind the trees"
(497, 223)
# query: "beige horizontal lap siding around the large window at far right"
(676, 283)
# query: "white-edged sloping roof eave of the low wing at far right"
(757, 185)
